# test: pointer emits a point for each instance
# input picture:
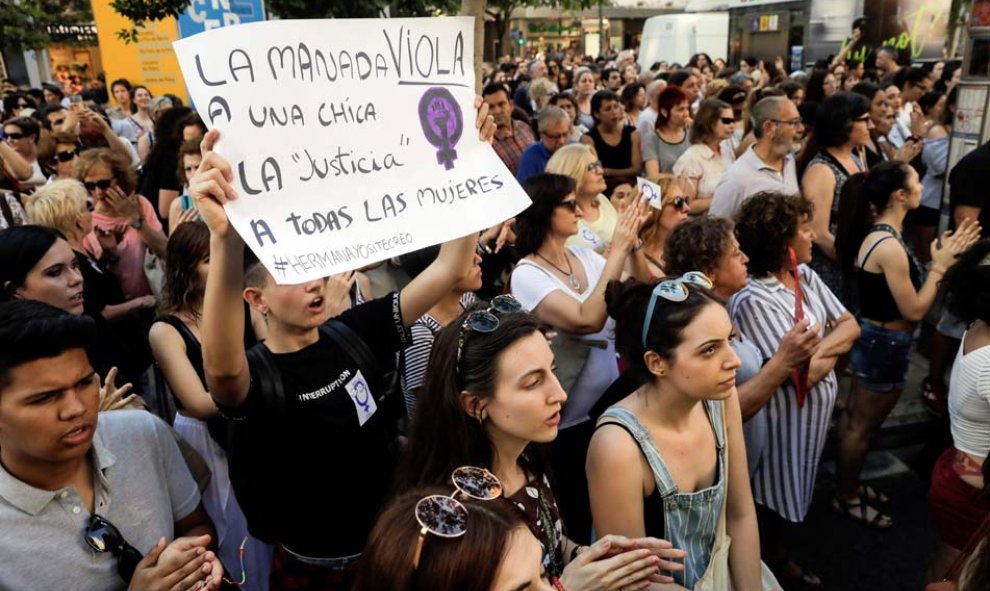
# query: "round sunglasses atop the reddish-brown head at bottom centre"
(446, 517)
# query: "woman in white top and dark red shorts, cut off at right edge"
(955, 501)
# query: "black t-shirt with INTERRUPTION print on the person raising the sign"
(332, 443)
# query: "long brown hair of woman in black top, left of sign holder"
(187, 246)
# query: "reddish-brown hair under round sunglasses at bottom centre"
(467, 563)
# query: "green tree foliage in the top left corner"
(24, 23)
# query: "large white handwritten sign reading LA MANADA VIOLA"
(351, 140)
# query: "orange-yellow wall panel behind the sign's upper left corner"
(150, 61)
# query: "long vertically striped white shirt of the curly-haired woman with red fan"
(764, 311)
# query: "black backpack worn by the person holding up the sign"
(255, 471)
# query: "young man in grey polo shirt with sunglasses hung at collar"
(88, 500)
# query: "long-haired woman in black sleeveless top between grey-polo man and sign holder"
(175, 342)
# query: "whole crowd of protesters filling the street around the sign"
(599, 394)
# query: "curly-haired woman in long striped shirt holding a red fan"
(774, 230)
